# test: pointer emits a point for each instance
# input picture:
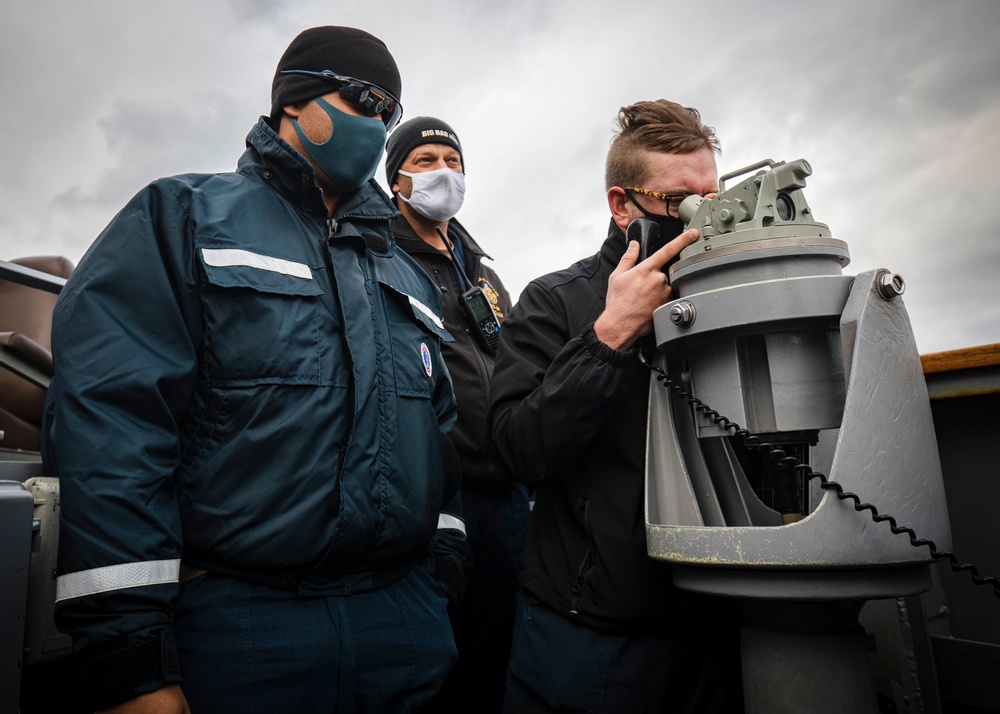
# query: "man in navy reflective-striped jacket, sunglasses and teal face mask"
(241, 359)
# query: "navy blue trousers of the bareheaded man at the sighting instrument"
(559, 666)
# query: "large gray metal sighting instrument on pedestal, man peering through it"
(766, 329)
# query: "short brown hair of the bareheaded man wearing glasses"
(660, 125)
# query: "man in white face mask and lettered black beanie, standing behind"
(425, 170)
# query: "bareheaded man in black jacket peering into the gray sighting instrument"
(600, 626)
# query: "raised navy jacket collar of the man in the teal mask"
(272, 161)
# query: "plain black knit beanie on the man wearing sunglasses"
(345, 50)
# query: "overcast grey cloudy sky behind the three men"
(895, 103)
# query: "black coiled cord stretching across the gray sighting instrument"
(776, 453)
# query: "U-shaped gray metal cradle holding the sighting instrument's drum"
(886, 452)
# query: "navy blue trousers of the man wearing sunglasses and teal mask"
(255, 650)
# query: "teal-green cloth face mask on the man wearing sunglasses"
(350, 156)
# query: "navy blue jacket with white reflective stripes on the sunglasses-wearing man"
(249, 386)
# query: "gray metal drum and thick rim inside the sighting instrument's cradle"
(765, 354)
